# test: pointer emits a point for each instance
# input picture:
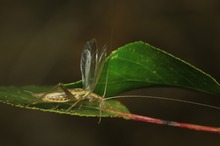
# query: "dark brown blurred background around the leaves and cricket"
(41, 42)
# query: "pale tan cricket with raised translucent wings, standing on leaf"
(91, 65)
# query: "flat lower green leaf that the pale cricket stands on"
(22, 97)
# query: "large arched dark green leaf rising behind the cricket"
(140, 65)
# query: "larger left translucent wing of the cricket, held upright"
(88, 64)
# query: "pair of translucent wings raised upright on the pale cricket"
(91, 64)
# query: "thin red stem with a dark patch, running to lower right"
(164, 122)
